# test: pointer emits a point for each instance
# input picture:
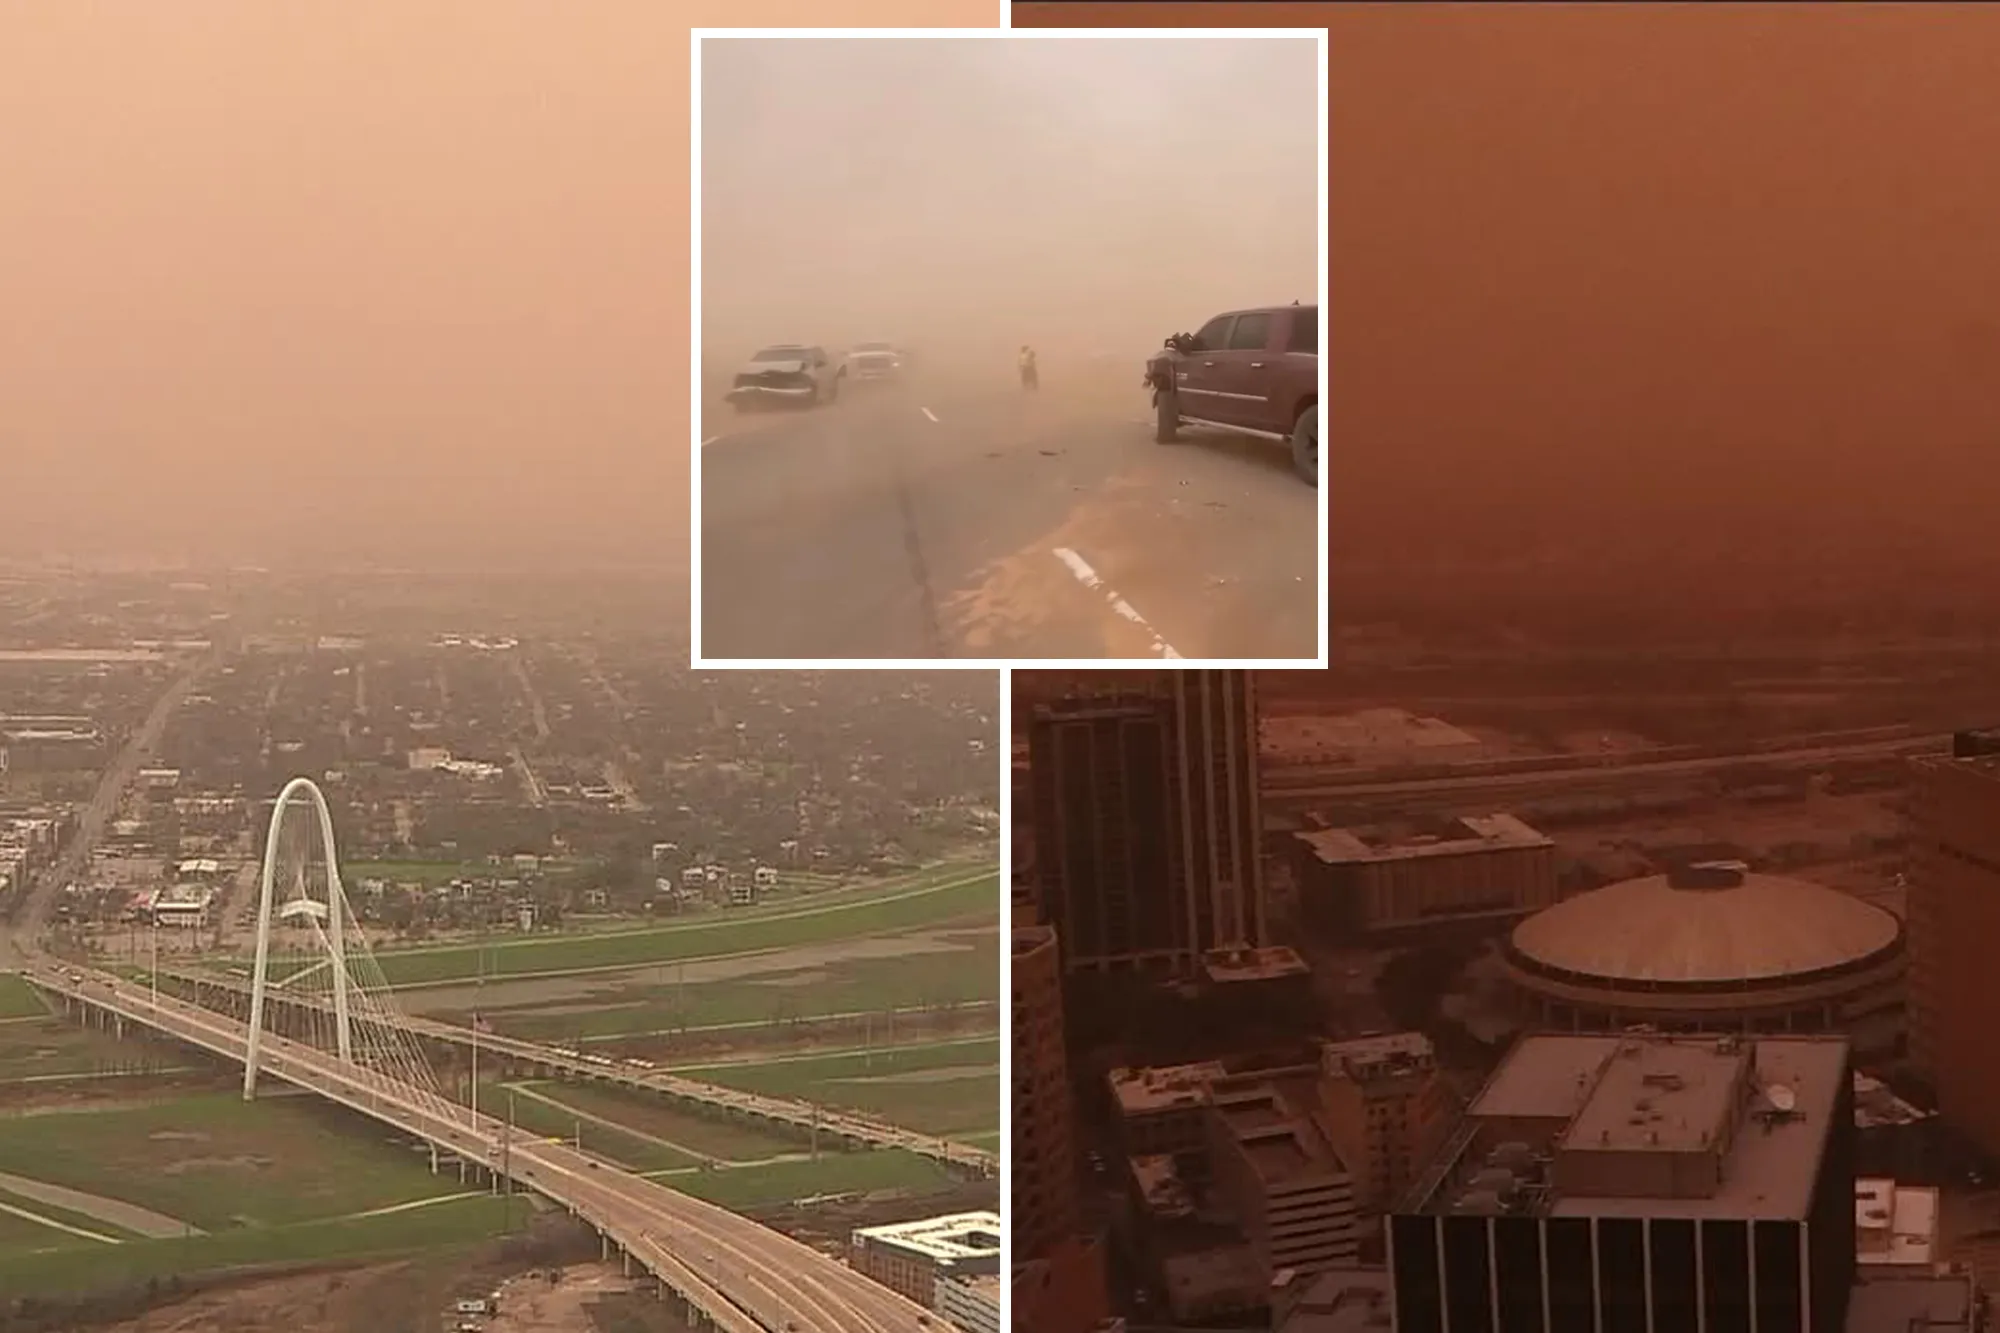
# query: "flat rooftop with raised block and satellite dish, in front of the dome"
(1647, 1126)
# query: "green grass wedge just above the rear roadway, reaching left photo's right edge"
(879, 1084)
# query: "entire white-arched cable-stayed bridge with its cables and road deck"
(347, 1044)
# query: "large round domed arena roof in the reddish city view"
(1703, 928)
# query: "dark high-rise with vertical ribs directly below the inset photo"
(1145, 808)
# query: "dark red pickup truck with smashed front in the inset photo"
(1251, 373)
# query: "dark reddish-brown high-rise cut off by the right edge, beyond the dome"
(1953, 914)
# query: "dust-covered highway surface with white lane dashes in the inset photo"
(979, 521)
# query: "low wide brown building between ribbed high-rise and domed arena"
(1403, 878)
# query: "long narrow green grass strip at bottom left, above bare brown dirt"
(103, 1268)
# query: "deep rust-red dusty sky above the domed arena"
(1669, 311)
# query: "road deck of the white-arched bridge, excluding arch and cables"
(743, 1274)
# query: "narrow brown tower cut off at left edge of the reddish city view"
(1043, 1150)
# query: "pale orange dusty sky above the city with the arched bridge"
(343, 283)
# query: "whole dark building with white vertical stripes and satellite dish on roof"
(1639, 1184)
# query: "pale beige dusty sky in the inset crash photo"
(967, 197)
